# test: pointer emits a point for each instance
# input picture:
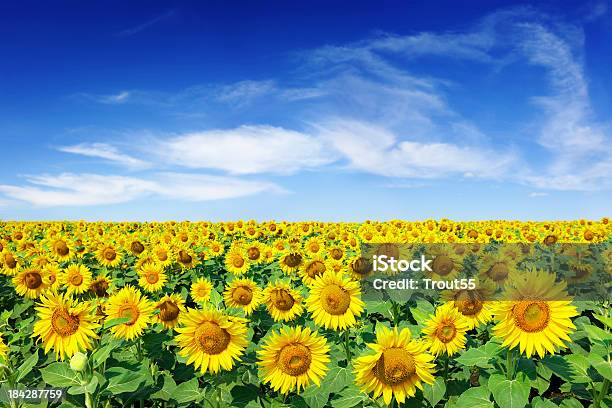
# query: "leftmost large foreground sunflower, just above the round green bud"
(65, 325)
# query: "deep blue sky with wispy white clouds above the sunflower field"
(323, 110)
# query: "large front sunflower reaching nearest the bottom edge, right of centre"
(398, 366)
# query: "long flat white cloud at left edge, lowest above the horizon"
(69, 189)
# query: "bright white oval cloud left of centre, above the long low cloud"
(245, 150)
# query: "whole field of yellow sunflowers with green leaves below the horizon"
(279, 314)
